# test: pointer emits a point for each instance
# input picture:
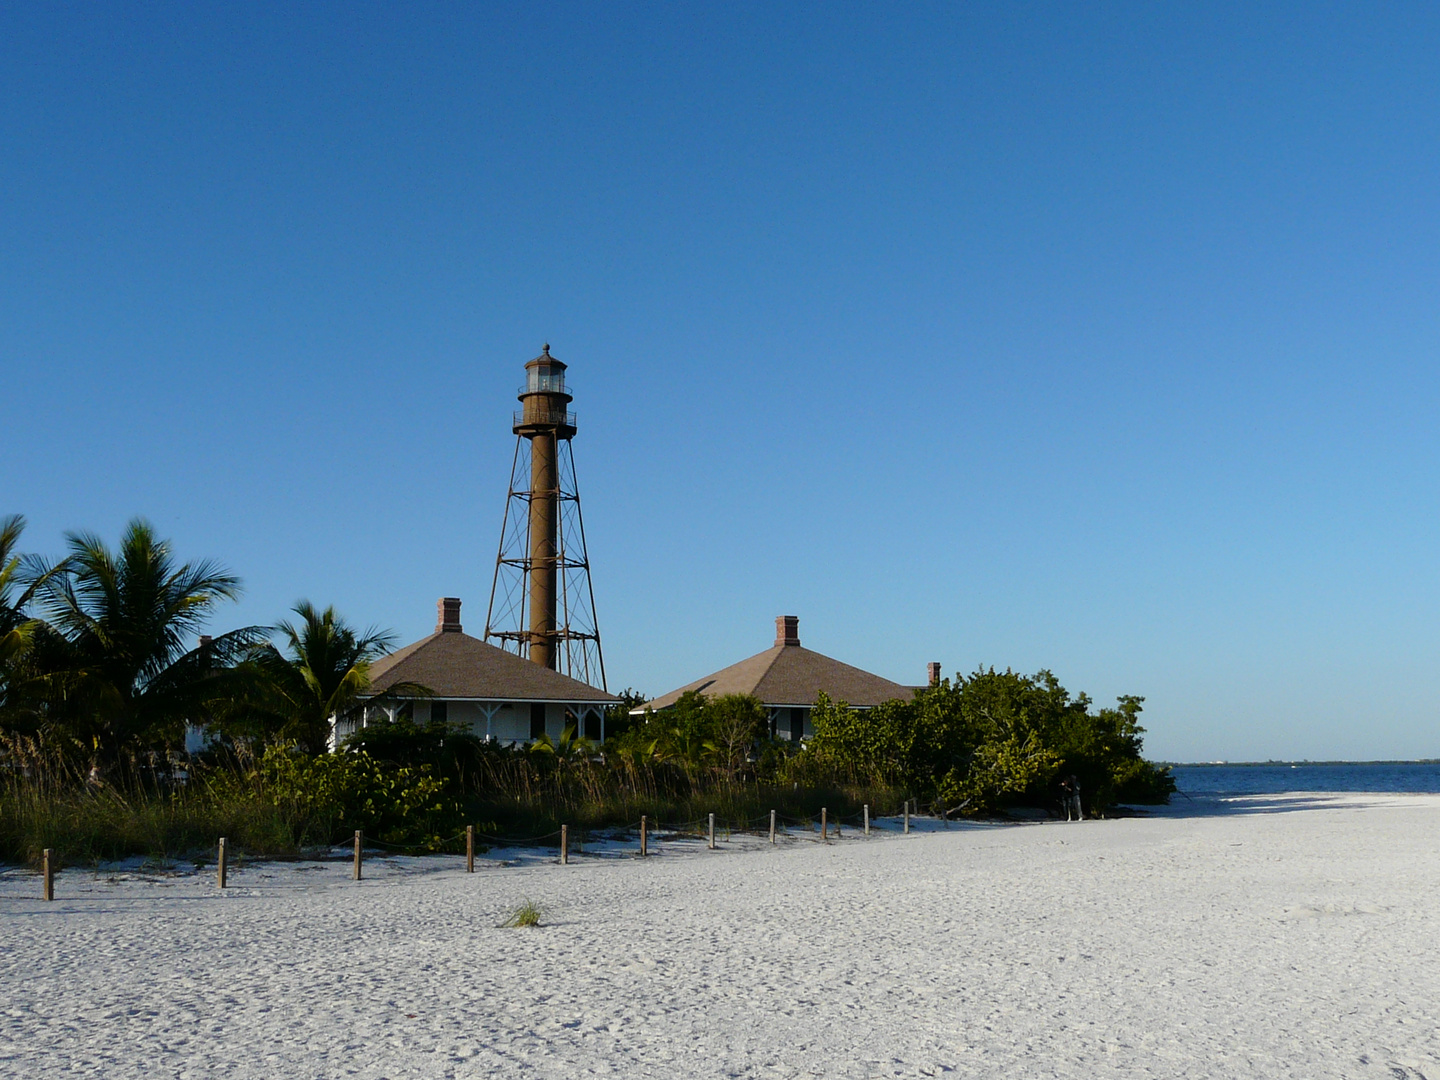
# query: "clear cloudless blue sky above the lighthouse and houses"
(1097, 338)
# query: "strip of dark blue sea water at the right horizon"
(1284, 777)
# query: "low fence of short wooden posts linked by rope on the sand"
(774, 826)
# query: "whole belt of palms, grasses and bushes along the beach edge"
(104, 667)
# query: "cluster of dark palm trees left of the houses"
(106, 652)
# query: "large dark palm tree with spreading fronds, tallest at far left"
(123, 673)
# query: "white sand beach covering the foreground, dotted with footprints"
(1274, 937)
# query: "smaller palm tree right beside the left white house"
(322, 675)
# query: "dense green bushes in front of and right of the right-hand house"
(968, 745)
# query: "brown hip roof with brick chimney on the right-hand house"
(791, 676)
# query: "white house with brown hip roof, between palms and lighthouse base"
(495, 693)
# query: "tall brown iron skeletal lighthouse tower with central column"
(542, 603)
